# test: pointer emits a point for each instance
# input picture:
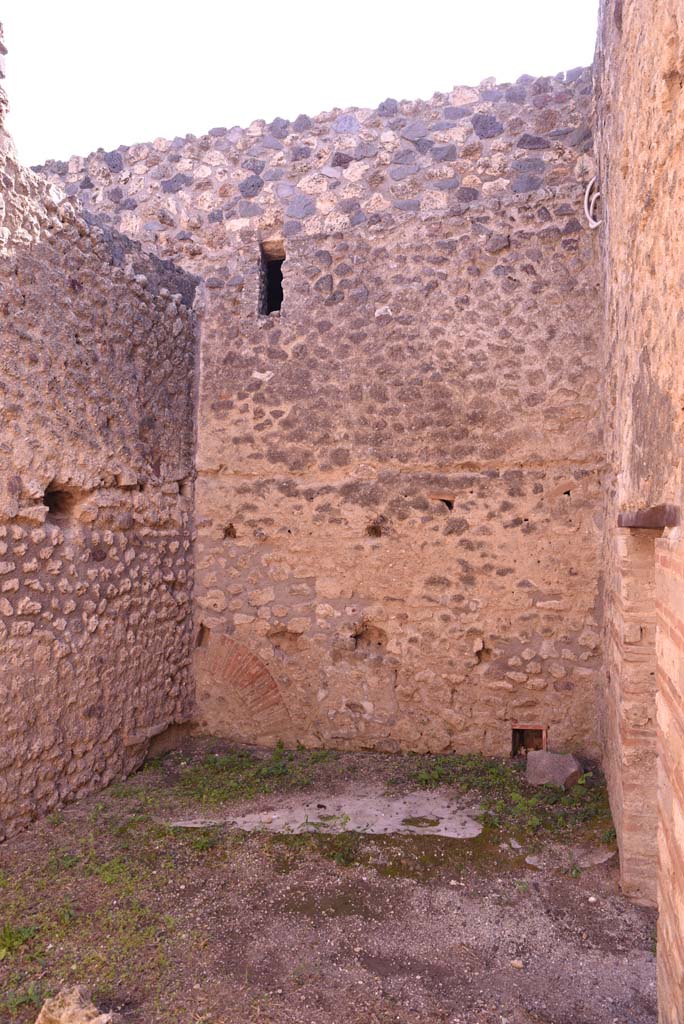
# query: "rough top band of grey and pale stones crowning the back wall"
(468, 153)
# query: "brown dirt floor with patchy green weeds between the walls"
(212, 925)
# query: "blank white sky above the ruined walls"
(83, 74)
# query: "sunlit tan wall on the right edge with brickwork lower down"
(640, 106)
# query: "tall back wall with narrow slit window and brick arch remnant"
(398, 473)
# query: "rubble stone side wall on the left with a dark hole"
(97, 447)
